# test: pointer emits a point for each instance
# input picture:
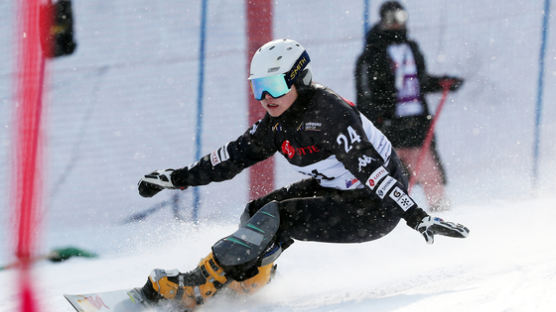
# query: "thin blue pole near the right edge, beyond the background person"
(540, 89)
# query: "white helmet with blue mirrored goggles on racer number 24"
(281, 58)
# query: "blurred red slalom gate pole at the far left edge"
(34, 23)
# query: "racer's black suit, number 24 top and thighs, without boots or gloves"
(356, 189)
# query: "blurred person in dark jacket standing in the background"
(391, 82)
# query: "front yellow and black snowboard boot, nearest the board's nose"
(186, 290)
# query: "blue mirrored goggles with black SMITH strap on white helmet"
(278, 85)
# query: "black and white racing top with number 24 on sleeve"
(322, 136)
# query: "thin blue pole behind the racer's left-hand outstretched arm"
(200, 90)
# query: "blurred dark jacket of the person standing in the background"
(376, 91)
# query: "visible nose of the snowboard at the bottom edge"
(124, 300)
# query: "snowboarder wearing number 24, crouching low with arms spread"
(356, 190)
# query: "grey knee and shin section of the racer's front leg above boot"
(254, 244)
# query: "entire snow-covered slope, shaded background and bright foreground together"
(125, 104)
